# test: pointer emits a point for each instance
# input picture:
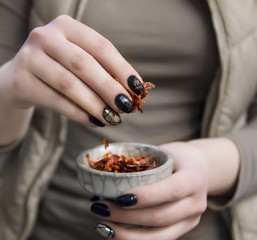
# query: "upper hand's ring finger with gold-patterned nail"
(71, 87)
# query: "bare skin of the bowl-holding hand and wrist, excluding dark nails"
(174, 206)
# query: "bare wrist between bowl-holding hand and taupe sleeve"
(223, 164)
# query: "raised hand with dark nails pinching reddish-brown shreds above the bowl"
(70, 68)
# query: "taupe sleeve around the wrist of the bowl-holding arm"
(246, 141)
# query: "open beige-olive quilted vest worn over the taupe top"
(232, 104)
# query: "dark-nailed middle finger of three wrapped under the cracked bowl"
(162, 215)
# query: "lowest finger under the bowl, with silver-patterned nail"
(114, 231)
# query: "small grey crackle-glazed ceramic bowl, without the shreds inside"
(110, 185)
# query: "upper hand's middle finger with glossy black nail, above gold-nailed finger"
(83, 65)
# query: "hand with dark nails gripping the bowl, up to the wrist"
(168, 208)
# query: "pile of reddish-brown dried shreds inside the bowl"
(121, 164)
